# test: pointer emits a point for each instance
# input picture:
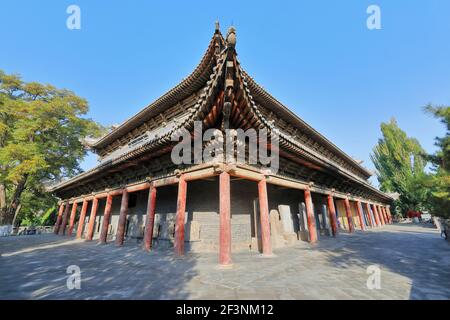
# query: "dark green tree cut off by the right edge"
(439, 181)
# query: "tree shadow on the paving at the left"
(39, 271)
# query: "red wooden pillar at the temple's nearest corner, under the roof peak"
(225, 220)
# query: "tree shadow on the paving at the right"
(413, 251)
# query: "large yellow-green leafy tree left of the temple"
(42, 130)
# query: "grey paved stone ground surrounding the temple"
(414, 262)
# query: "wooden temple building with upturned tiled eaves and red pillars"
(137, 193)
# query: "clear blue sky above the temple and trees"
(317, 57)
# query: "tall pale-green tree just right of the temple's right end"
(400, 164)
